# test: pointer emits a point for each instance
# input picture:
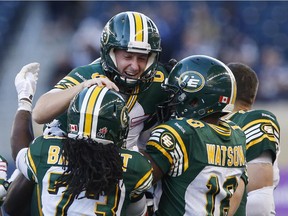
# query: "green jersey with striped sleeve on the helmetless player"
(262, 134)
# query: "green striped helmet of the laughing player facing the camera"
(133, 32)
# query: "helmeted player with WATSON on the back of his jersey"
(199, 157)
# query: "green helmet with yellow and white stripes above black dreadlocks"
(100, 114)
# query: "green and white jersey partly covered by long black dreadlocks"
(44, 166)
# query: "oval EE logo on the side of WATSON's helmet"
(191, 81)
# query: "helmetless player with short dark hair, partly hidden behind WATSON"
(262, 144)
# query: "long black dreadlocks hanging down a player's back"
(90, 166)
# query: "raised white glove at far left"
(25, 83)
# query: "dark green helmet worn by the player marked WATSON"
(201, 85)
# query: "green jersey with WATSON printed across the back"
(202, 165)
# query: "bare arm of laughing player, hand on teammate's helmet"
(56, 101)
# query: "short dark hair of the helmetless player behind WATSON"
(247, 82)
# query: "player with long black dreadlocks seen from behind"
(87, 172)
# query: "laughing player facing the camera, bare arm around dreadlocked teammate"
(130, 49)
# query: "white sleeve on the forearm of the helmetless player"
(260, 202)
